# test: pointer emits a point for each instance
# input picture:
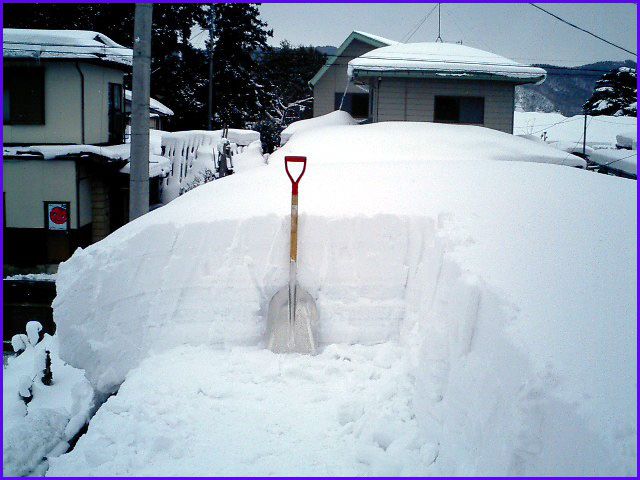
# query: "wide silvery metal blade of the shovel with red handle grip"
(297, 336)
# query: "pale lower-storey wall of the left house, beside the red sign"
(29, 183)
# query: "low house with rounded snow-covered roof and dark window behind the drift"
(434, 82)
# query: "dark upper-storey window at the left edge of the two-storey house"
(23, 95)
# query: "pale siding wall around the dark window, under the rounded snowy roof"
(399, 99)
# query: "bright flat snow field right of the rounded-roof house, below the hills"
(601, 130)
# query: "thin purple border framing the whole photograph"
(2, 3)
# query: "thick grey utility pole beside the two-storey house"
(139, 161)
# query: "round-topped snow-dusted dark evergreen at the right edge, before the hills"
(615, 94)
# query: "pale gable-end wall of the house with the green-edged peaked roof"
(334, 79)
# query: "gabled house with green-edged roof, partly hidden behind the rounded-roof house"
(331, 81)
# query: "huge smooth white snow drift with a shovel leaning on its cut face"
(511, 299)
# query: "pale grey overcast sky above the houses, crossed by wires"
(516, 31)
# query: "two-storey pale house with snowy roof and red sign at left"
(63, 149)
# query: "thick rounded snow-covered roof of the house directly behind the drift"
(438, 59)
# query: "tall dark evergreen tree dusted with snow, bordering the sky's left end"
(239, 37)
